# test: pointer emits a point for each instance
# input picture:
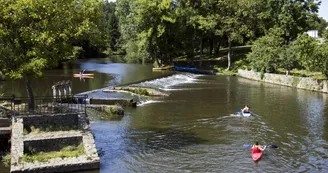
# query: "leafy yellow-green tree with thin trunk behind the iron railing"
(37, 36)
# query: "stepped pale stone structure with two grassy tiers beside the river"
(52, 141)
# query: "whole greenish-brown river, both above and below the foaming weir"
(196, 128)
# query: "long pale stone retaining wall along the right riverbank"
(307, 83)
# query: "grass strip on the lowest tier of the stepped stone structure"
(68, 151)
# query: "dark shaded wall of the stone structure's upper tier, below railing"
(66, 120)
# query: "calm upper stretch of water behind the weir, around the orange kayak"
(105, 74)
